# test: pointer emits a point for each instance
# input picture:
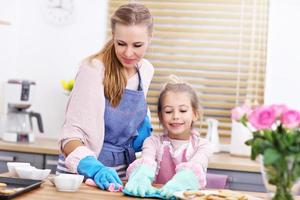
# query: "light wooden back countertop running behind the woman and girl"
(218, 161)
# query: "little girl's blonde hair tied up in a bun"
(176, 85)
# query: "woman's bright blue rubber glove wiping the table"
(103, 176)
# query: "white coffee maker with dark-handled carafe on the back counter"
(18, 126)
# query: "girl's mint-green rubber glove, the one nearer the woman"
(140, 182)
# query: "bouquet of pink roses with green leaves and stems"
(276, 136)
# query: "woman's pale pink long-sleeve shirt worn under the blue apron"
(84, 116)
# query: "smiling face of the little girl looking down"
(177, 115)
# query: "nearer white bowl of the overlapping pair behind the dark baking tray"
(32, 173)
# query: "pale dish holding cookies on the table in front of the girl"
(180, 194)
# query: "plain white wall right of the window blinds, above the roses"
(283, 62)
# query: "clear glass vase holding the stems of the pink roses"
(285, 189)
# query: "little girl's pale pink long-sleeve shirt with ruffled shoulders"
(192, 154)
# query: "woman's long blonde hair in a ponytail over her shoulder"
(115, 80)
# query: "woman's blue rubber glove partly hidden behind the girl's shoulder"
(144, 131)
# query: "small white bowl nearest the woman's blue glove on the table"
(68, 182)
